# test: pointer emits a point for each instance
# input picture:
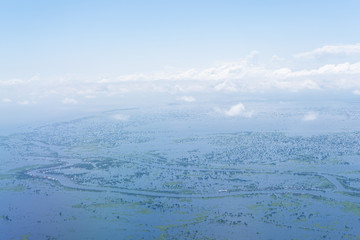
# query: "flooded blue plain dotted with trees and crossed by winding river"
(184, 173)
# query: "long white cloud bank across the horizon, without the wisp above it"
(228, 77)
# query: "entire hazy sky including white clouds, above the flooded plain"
(73, 51)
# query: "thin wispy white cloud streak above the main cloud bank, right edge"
(331, 49)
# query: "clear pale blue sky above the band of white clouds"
(122, 37)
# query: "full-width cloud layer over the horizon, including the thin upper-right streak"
(245, 75)
